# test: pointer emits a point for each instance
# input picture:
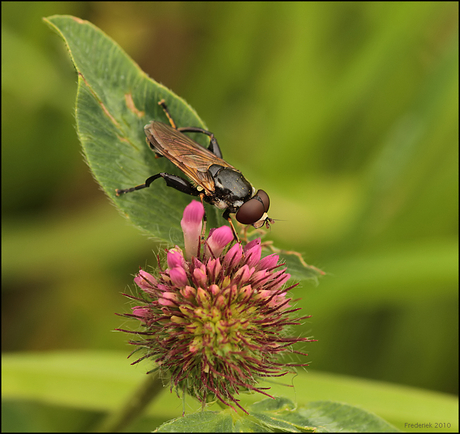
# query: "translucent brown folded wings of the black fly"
(183, 152)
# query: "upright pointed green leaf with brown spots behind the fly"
(115, 100)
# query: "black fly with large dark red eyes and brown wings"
(214, 180)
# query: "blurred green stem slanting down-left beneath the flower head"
(133, 407)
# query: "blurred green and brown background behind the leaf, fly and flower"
(346, 113)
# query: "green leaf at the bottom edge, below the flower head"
(281, 415)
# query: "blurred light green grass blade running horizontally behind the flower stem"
(101, 381)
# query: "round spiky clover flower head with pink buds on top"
(216, 319)
